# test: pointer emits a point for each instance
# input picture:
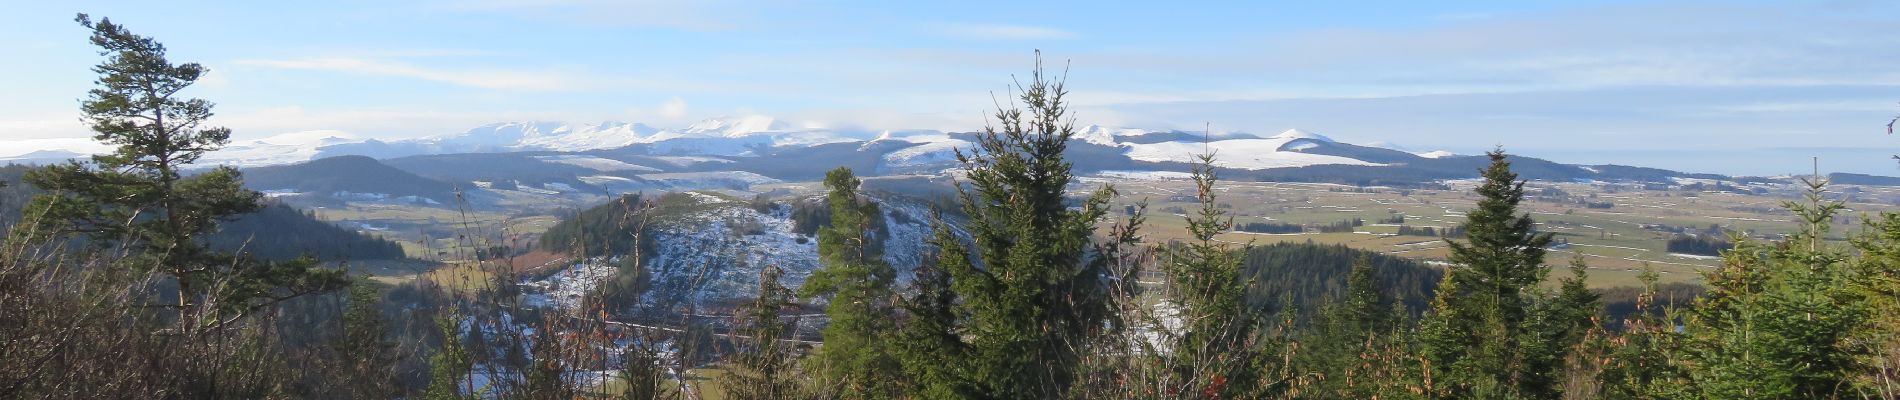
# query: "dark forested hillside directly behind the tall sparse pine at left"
(276, 232)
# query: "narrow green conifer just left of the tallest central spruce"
(858, 287)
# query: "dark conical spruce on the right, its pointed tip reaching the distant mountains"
(1479, 333)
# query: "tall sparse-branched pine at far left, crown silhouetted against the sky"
(138, 194)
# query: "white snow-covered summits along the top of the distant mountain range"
(757, 136)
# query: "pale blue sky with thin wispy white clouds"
(1739, 88)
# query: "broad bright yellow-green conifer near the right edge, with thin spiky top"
(1781, 321)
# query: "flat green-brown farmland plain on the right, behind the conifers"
(1614, 242)
